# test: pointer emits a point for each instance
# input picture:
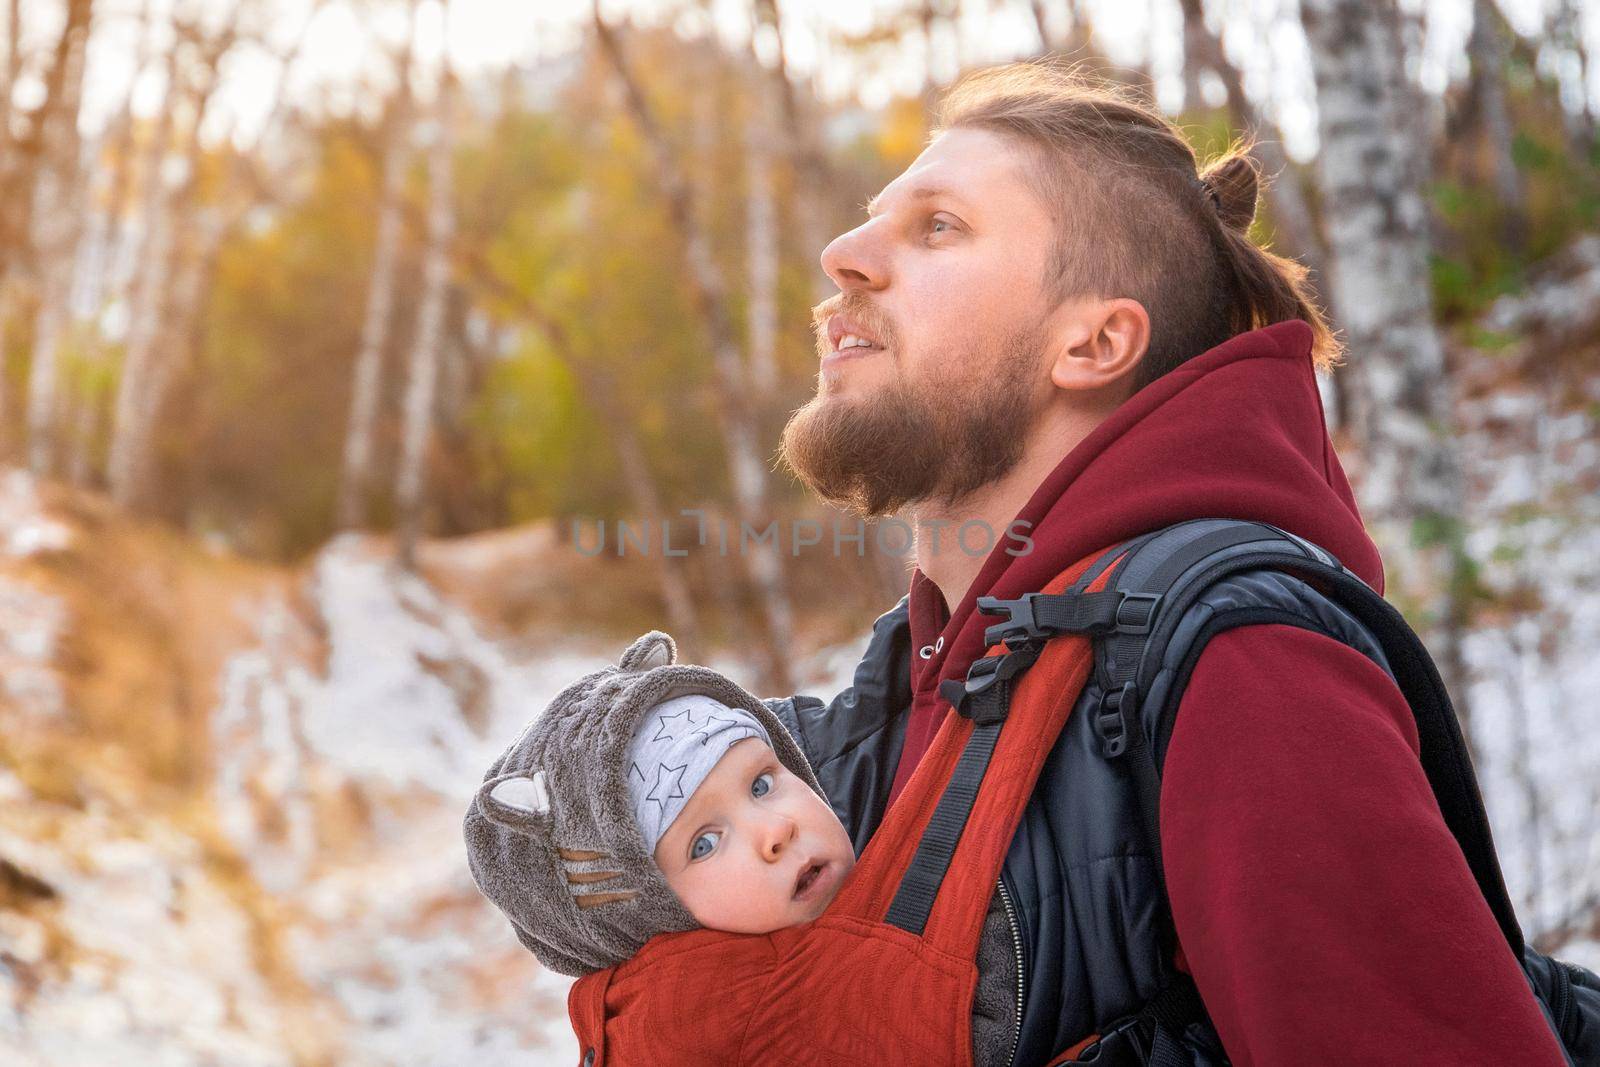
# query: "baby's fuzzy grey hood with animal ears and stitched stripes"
(553, 834)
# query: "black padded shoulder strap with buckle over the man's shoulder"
(1145, 658)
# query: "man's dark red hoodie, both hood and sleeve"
(1322, 905)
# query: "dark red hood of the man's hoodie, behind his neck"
(1236, 433)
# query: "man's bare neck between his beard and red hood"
(940, 551)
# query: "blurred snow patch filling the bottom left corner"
(158, 965)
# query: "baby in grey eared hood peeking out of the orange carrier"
(654, 799)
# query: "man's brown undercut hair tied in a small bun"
(1135, 214)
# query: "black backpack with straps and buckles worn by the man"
(1146, 652)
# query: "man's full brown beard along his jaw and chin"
(919, 441)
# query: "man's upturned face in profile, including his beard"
(932, 356)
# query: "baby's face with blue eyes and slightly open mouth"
(754, 850)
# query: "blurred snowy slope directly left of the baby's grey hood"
(407, 705)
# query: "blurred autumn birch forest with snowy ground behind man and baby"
(322, 322)
